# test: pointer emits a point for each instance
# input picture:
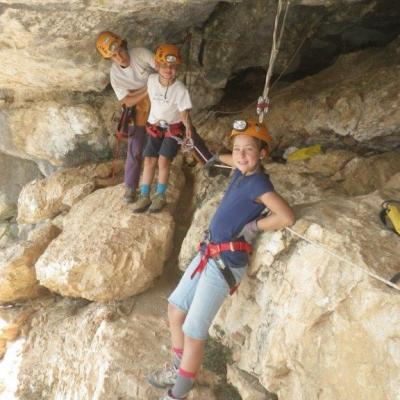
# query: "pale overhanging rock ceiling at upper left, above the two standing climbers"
(56, 41)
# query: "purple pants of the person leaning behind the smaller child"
(137, 135)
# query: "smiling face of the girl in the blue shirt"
(246, 154)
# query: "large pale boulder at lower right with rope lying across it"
(302, 313)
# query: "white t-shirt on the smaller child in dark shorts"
(166, 103)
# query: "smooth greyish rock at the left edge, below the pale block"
(14, 174)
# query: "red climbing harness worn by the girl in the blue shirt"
(213, 250)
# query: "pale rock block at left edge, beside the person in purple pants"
(63, 135)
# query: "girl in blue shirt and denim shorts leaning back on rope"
(218, 267)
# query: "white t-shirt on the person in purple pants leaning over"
(135, 75)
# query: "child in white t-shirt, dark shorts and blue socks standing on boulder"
(169, 118)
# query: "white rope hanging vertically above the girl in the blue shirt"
(276, 42)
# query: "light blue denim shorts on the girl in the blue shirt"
(201, 297)
